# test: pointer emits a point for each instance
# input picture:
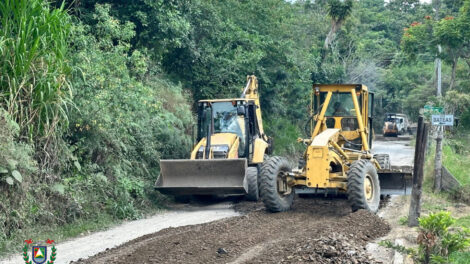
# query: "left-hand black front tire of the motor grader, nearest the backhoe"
(272, 199)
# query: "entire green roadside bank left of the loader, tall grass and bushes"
(93, 157)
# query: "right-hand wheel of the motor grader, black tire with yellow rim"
(363, 186)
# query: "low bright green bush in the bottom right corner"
(436, 241)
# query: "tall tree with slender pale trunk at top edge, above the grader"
(338, 10)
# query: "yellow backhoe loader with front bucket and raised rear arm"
(231, 146)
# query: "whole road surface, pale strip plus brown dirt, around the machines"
(316, 230)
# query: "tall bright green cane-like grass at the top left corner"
(34, 68)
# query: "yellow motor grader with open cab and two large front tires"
(337, 156)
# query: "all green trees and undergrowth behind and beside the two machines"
(94, 92)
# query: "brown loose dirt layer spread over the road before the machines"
(315, 230)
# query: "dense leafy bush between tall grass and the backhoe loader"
(127, 117)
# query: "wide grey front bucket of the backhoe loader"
(214, 177)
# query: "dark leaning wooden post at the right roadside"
(418, 172)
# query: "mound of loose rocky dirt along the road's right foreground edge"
(339, 242)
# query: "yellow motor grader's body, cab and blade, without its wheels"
(338, 138)
